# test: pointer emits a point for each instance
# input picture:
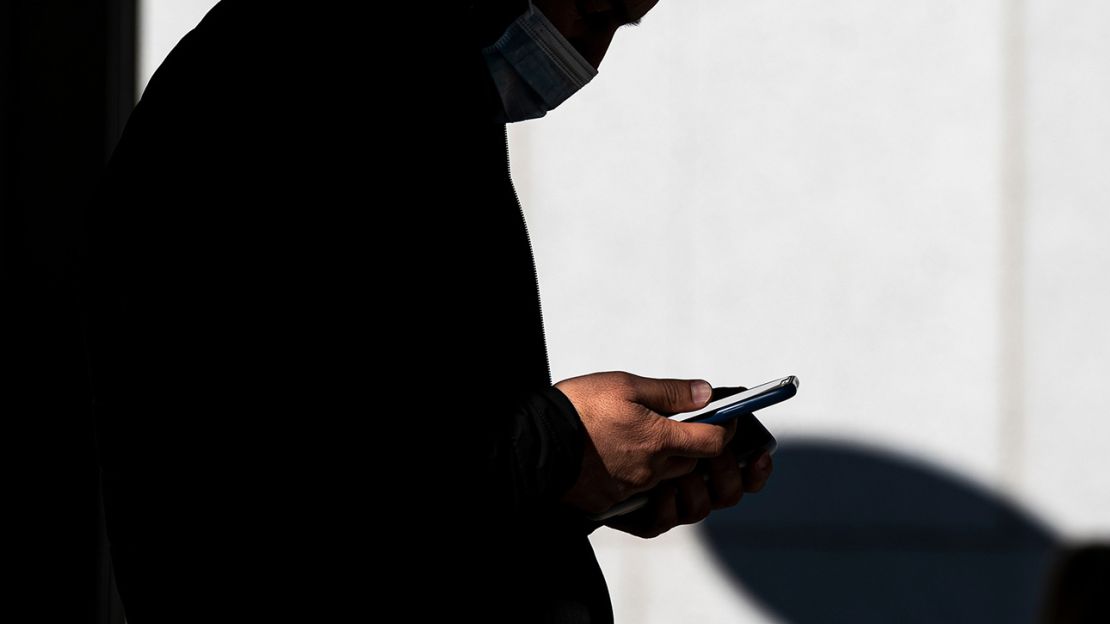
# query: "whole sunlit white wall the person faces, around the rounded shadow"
(906, 205)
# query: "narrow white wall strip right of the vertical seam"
(1067, 301)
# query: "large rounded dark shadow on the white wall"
(853, 535)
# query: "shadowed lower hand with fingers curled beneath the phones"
(719, 484)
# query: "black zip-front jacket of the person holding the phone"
(317, 340)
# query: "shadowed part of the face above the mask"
(590, 25)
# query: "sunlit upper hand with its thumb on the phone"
(632, 446)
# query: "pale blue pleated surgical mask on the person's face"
(534, 68)
